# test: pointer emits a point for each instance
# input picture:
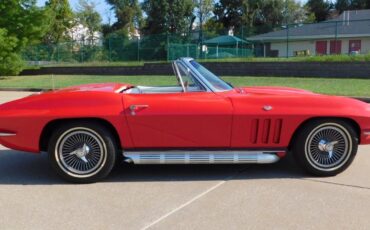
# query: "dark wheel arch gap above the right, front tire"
(349, 121)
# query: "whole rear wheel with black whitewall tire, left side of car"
(82, 152)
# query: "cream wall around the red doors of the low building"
(311, 46)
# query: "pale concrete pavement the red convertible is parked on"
(275, 196)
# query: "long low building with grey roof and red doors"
(346, 34)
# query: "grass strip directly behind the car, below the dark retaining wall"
(345, 87)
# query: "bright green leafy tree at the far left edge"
(21, 24)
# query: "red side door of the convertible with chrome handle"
(178, 120)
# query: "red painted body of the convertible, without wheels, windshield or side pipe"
(234, 119)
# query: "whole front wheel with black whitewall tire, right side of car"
(325, 147)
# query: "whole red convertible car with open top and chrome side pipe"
(199, 120)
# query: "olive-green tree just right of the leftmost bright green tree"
(60, 18)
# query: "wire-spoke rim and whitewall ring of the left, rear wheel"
(80, 152)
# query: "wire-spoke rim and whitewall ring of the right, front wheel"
(328, 147)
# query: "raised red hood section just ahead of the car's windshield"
(274, 90)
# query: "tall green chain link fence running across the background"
(330, 37)
